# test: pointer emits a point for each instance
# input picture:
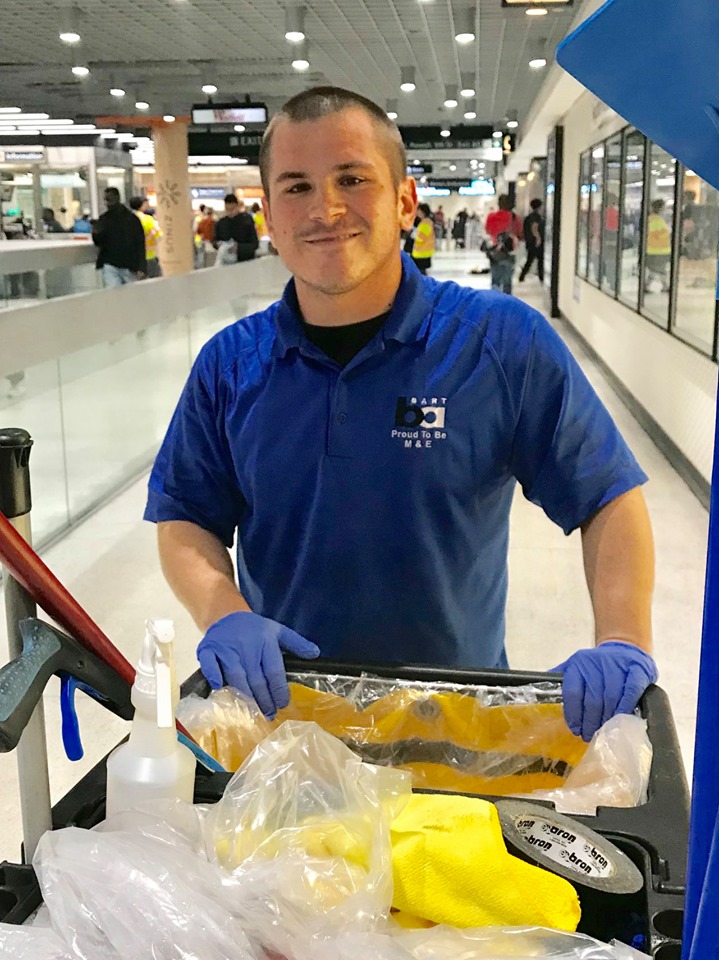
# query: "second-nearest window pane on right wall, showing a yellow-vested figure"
(658, 232)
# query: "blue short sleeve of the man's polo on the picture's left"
(193, 477)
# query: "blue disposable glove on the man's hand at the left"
(244, 650)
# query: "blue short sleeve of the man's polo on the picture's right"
(568, 454)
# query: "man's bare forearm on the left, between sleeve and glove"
(198, 568)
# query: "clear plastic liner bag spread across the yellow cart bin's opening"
(483, 740)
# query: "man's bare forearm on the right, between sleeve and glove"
(619, 565)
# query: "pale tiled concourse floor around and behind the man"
(109, 563)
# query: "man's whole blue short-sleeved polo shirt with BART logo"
(371, 503)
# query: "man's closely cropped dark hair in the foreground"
(321, 102)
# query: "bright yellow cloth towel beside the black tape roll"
(450, 865)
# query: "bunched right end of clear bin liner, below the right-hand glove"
(614, 771)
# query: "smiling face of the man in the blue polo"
(334, 214)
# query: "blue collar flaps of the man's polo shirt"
(408, 320)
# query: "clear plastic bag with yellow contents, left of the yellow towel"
(304, 803)
